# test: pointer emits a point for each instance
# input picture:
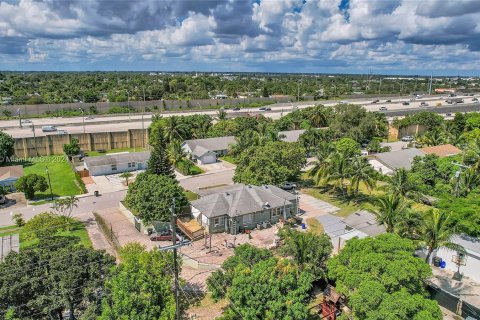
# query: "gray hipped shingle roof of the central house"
(243, 200)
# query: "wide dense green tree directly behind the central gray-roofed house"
(272, 163)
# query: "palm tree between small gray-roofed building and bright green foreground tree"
(389, 210)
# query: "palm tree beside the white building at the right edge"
(436, 233)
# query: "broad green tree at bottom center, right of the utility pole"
(267, 288)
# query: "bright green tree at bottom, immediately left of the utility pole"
(140, 287)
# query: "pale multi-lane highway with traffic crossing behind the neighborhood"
(113, 123)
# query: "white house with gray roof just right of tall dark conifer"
(205, 151)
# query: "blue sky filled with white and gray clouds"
(344, 36)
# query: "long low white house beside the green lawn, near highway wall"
(116, 163)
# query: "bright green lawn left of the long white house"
(61, 175)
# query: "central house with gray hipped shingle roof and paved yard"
(243, 206)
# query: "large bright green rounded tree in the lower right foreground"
(382, 279)
